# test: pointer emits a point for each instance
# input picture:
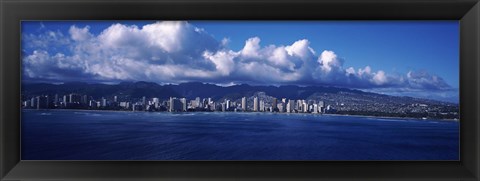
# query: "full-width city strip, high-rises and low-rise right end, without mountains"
(254, 103)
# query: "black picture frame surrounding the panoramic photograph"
(466, 11)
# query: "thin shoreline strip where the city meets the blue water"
(324, 114)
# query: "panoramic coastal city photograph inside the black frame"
(240, 90)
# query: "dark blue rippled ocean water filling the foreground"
(96, 135)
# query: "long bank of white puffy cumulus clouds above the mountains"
(176, 51)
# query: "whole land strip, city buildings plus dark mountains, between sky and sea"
(248, 99)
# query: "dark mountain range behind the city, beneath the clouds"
(191, 90)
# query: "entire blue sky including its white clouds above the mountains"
(405, 58)
